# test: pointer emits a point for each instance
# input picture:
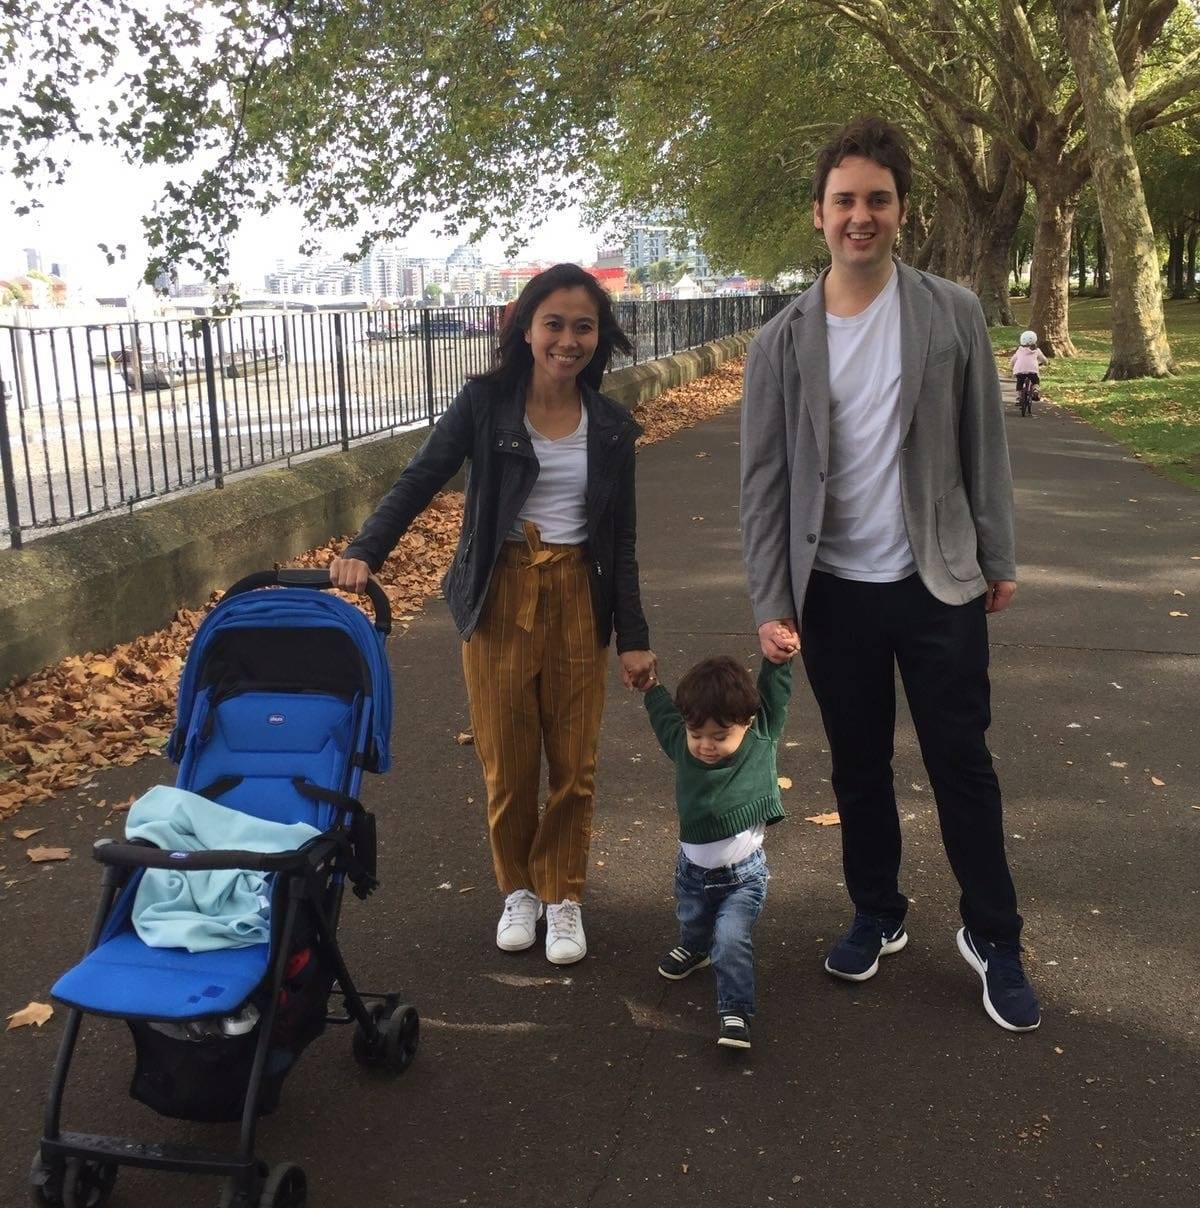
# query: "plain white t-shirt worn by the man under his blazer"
(863, 535)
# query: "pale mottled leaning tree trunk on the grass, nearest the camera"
(1140, 344)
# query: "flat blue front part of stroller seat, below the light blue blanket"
(129, 979)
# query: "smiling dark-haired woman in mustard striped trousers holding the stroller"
(546, 573)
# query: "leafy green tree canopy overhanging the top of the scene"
(370, 114)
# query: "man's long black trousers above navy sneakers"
(855, 635)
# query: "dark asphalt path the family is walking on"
(601, 1085)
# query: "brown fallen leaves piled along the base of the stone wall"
(90, 712)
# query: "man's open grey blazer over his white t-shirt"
(955, 480)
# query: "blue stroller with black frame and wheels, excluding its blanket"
(286, 700)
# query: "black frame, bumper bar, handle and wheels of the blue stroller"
(74, 1169)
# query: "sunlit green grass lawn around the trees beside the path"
(1158, 420)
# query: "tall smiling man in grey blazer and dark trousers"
(878, 513)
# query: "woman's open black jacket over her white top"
(490, 431)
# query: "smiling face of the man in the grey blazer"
(860, 216)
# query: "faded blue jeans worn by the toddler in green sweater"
(717, 911)
